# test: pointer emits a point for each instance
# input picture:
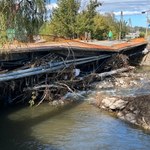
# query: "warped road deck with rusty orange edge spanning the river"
(111, 46)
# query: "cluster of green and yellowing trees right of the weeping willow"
(70, 21)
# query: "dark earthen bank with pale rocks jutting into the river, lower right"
(135, 110)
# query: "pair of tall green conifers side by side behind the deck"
(67, 22)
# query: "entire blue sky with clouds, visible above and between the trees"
(132, 9)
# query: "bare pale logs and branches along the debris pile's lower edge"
(67, 87)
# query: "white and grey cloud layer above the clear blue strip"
(129, 7)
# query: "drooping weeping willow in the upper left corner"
(25, 16)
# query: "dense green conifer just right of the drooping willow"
(63, 18)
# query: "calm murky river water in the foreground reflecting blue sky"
(78, 126)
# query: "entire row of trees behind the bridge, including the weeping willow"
(67, 20)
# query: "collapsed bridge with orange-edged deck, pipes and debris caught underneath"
(61, 65)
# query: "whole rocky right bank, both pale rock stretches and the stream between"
(128, 97)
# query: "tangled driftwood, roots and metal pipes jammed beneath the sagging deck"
(52, 77)
